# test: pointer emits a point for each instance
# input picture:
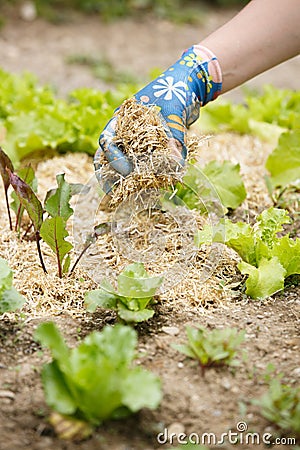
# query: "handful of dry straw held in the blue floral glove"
(141, 135)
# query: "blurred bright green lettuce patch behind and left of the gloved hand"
(34, 119)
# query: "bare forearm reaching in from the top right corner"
(265, 33)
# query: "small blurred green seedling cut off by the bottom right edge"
(280, 405)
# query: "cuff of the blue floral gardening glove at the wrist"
(209, 73)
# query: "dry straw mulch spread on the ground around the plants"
(161, 238)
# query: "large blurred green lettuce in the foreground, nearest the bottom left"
(96, 381)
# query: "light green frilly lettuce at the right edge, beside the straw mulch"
(267, 259)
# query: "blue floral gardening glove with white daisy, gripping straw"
(194, 80)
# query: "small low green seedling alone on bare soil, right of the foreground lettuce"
(212, 348)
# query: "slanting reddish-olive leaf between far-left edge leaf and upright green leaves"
(28, 199)
